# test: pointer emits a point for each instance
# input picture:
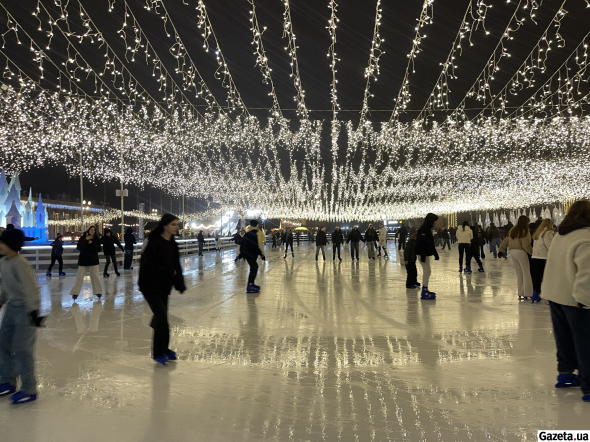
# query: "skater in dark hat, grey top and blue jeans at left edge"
(20, 295)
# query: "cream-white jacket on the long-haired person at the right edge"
(567, 273)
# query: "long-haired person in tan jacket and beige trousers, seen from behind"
(519, 242)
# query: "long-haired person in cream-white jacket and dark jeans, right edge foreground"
(566, 284)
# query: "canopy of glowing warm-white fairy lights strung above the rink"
(108, 126)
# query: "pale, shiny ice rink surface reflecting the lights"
(327, 351)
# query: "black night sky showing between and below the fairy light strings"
(310, 18)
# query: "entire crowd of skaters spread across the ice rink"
(549, 260)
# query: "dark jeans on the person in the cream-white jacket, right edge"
(571, 328)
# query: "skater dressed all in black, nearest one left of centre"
(160, 271)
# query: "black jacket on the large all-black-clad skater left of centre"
(159, 261)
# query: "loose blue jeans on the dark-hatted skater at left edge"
(17, 346)
